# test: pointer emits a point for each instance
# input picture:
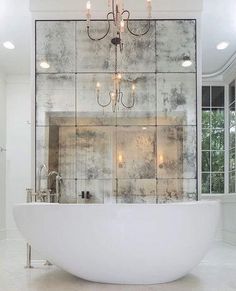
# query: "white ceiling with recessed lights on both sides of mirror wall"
(218, 24)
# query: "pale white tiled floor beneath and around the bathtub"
(217, 272)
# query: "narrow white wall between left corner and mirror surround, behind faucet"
(18, 170)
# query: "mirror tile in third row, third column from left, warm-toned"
(136, 152)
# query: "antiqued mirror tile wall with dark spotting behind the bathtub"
(146, 154)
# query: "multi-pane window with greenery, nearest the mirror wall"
(213, 141)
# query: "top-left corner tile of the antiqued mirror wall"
(55, 45)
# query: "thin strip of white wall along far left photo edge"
(2, 158)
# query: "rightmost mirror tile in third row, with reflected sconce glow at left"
(176, 152)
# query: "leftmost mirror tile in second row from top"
(55, 99)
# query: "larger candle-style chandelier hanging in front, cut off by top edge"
(118, 16)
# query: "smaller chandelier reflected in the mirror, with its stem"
(116, 96)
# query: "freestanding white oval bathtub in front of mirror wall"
(121, 243)
